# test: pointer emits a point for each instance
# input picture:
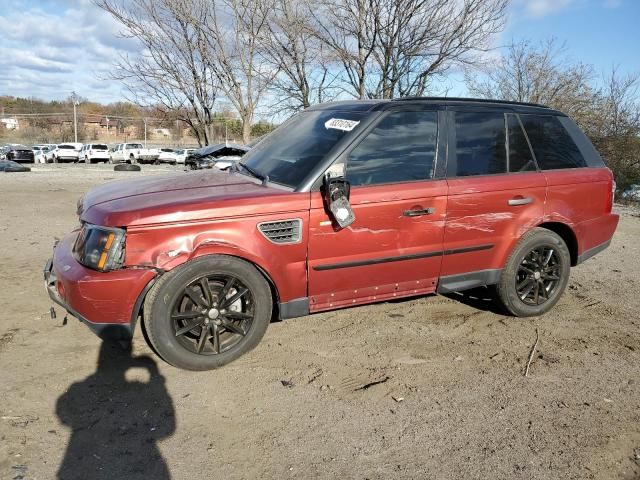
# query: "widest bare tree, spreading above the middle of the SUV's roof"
(394, 48)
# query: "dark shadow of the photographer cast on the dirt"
(116, 423)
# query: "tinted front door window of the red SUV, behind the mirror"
(401, 148)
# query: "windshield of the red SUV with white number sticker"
(290, 152)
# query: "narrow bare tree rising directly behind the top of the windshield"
(304, 76)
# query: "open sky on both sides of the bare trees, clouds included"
(50, 47)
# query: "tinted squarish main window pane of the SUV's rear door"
(480, 143)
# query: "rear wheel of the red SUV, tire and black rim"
(536, 274)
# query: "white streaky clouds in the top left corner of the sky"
(50, 48)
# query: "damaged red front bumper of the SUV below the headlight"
(107, 302)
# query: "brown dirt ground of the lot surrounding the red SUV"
(432, 387)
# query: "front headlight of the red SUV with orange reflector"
(100, 248)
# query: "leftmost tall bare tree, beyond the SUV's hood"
(173, 69)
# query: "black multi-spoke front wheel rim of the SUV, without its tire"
(212, 314)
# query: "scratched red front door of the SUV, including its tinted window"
(394, 247)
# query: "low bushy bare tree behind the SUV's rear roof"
(539, 73)
